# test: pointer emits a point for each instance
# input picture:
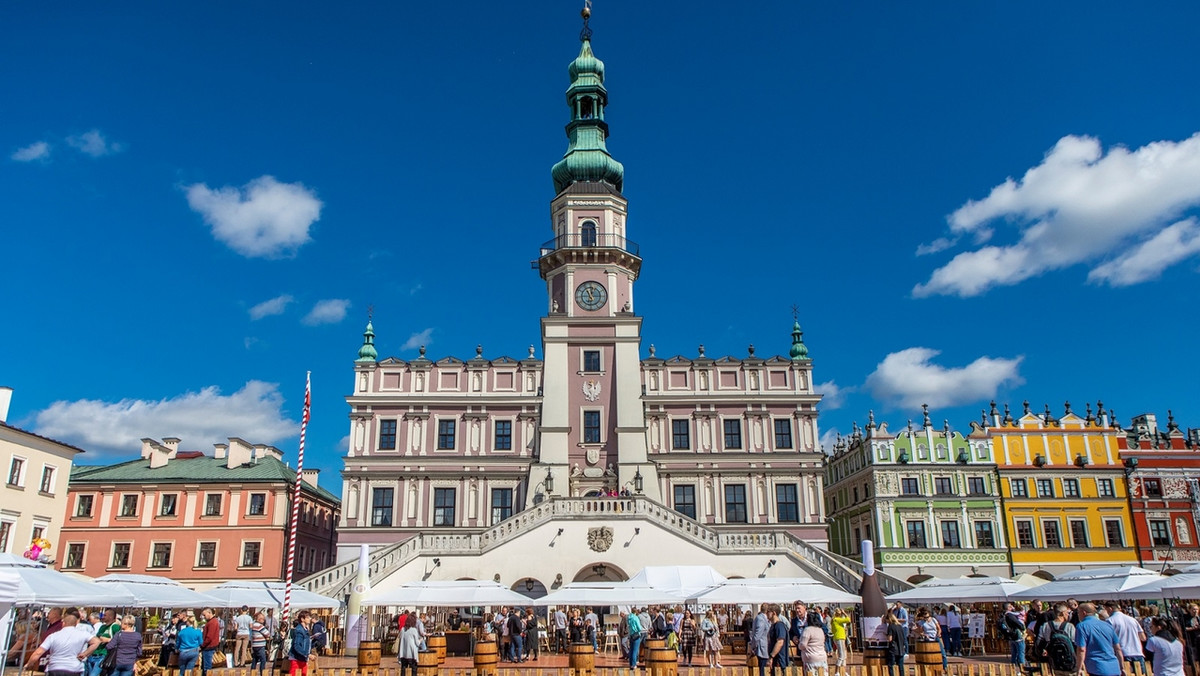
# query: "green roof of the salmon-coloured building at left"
(189, 469)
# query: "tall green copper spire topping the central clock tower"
(587, 158)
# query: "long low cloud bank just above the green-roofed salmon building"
(201, 418)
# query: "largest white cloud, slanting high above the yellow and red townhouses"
(1078, 206)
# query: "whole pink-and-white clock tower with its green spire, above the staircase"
(592, 438)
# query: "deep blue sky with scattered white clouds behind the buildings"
(200, 201)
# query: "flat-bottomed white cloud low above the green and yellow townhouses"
(910, 379)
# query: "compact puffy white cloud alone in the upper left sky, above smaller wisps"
(265, 219)
